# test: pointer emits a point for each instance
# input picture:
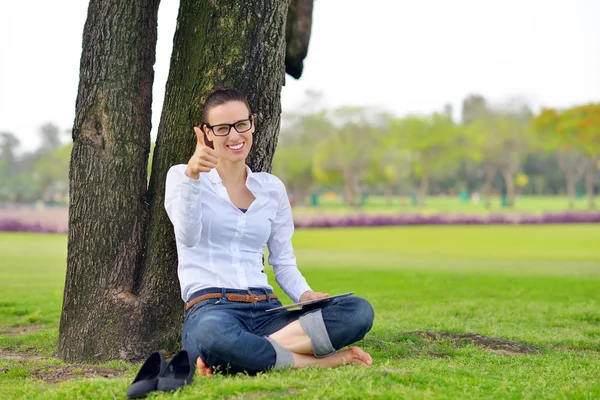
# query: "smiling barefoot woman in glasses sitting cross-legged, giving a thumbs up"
(223, 215)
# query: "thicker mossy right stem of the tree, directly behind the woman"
(236, 43)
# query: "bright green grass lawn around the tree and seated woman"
(538, 285)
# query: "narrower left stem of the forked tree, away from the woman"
(107, 211)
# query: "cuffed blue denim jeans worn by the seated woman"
(232, 337)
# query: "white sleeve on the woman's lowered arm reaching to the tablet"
(281, 252)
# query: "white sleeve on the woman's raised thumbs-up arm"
(183, 205)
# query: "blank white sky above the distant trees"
(404, 55)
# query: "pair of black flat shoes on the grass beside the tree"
(155, 374)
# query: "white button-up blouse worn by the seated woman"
(218, 245)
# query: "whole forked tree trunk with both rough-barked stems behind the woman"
(122, 297)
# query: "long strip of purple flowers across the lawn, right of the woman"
(443, 219)
